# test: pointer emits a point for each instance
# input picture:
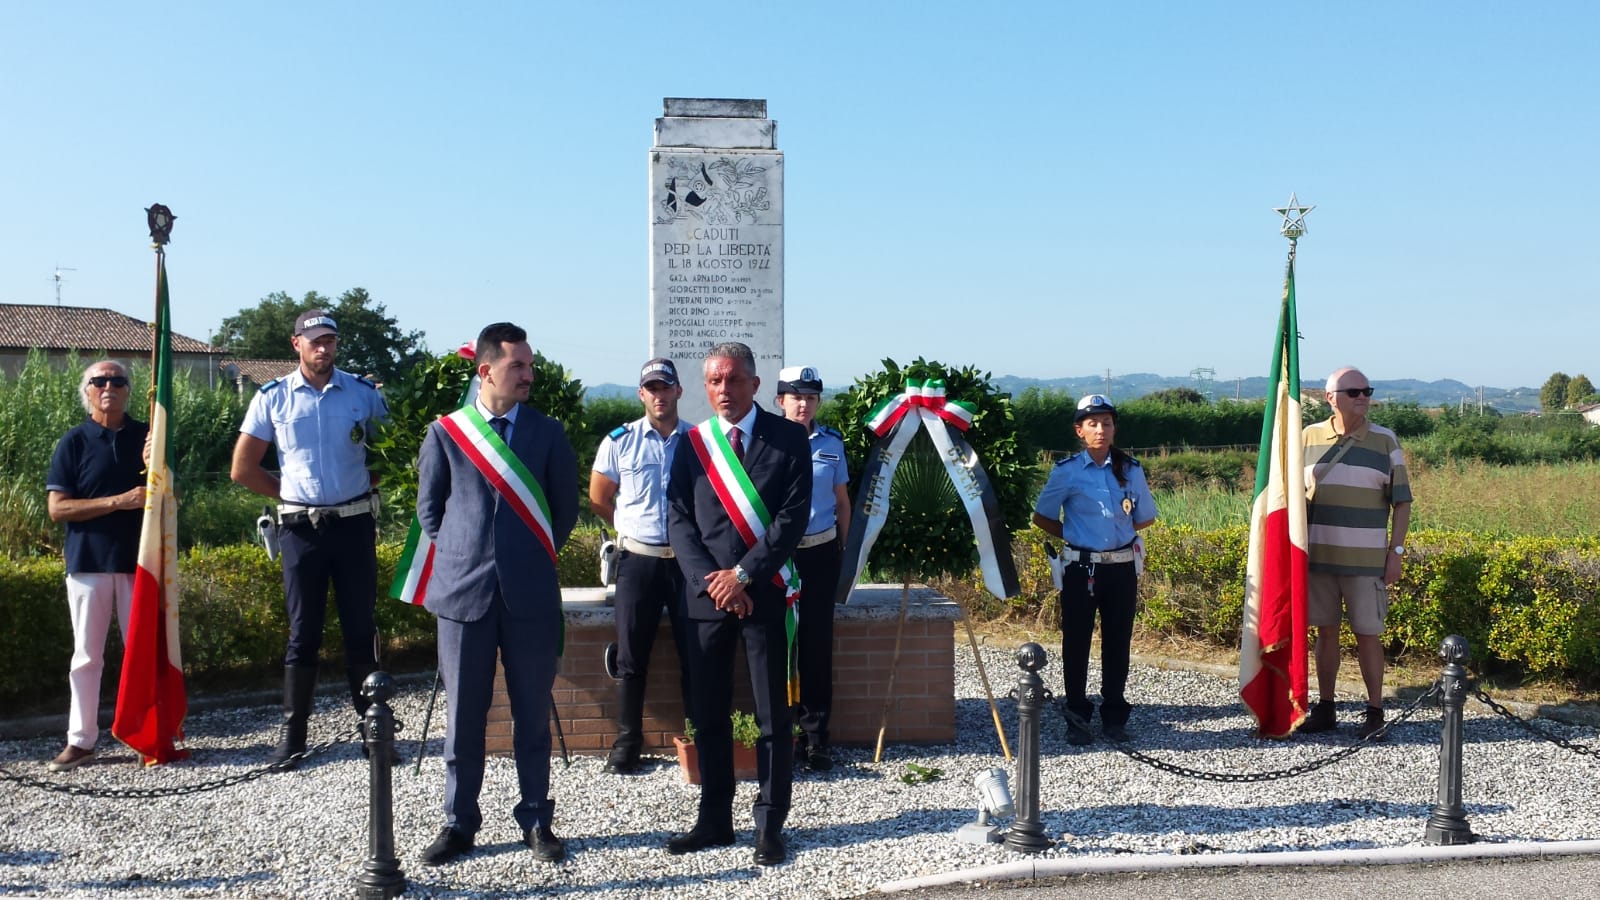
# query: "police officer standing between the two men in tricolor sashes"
(628, 489)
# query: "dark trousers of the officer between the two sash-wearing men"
(644, 587)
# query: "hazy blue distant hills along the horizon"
(1142, 384)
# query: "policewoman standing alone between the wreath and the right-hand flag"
(1095, 502)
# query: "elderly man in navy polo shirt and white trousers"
(97, 489)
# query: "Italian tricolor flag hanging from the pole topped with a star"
(1273, 640)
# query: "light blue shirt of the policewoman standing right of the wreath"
(1089, 502)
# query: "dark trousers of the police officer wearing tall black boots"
(342, 552)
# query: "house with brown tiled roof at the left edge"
(94, 334)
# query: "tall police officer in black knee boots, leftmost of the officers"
(321, 419)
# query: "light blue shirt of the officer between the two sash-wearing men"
(639, 460)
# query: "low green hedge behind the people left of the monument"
(231, 616)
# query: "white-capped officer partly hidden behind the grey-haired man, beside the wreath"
(818, 560)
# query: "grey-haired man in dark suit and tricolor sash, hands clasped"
(730, 563)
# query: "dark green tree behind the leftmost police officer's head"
(370, 340)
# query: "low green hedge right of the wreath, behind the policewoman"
(1527, 606)
